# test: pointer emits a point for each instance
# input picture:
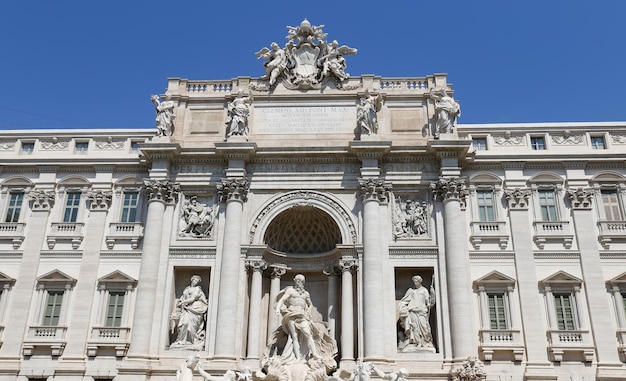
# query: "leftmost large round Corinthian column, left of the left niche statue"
(159, 193)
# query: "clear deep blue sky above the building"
(94, 64)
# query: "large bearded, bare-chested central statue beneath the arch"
(301, 346)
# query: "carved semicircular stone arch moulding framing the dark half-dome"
(326, 203)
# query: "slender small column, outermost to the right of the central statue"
(347, 265)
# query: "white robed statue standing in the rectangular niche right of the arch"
(414, 312)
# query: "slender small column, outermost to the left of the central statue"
(256, 267)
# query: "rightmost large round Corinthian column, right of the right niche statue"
(451, 192)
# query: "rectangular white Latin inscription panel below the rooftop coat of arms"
(303, 120)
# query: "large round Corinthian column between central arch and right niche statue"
(373, 191)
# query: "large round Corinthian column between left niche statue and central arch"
(234, 192)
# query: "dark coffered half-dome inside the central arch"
(302, 230)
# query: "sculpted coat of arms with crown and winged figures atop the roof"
(307, 60)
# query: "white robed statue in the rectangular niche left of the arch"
(190, 317)
